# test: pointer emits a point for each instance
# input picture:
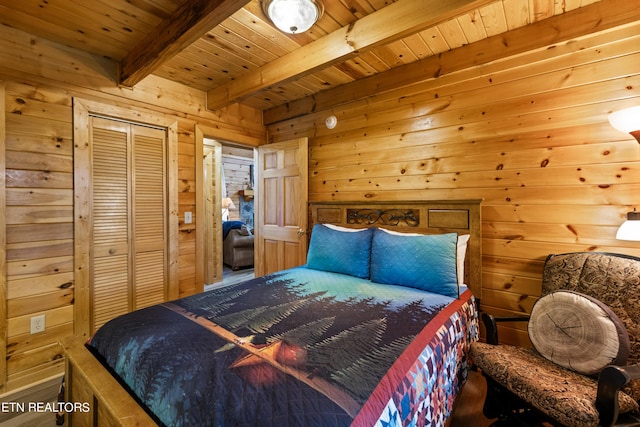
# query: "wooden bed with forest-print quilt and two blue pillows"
(359, 336)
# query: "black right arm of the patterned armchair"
(611, 379)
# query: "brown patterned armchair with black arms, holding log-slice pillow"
(555, 387)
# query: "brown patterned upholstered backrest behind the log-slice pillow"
(612, 279)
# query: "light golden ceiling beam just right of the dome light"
(386, 25)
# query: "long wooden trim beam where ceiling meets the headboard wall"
(595, 17)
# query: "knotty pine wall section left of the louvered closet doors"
(39, 247)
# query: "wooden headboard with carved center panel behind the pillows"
(426, 217)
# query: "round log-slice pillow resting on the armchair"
(578, 332)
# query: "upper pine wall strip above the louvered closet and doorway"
(93, 77)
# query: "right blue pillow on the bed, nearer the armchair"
(426, 262)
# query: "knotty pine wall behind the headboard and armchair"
(527, 133)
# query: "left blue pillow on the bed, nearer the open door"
(347, 252)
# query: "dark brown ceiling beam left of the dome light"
(188, 23)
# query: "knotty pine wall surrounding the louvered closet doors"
(37, 120)
